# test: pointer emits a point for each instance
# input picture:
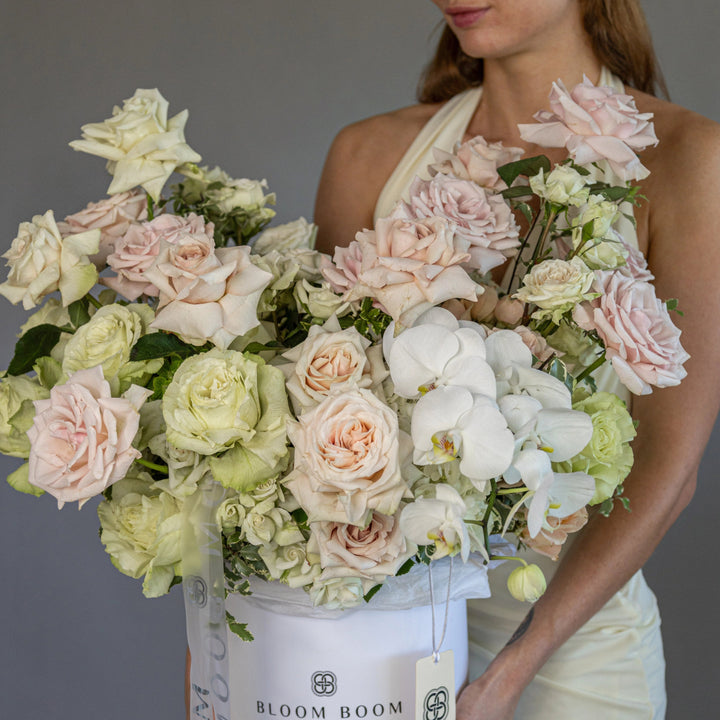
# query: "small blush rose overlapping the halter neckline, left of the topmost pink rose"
(476, 160)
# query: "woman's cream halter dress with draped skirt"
(613, 668)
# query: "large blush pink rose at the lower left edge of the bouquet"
(81, 438)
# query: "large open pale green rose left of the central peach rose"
(225, 400)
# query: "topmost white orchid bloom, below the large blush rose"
(438, 351)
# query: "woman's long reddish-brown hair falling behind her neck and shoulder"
(618, 33)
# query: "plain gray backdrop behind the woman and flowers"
(268, 84)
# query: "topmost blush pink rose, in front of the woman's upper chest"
(595, 124)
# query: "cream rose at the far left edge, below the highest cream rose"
(41, 262)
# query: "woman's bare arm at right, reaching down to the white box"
(674, 424)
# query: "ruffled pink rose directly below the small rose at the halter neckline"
(483, 219)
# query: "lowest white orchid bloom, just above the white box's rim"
(438, 519)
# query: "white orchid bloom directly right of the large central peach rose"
(452, 422)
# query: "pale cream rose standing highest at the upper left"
(141, 145)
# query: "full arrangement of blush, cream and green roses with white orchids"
(363, 413)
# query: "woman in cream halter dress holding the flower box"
(590, 647)
